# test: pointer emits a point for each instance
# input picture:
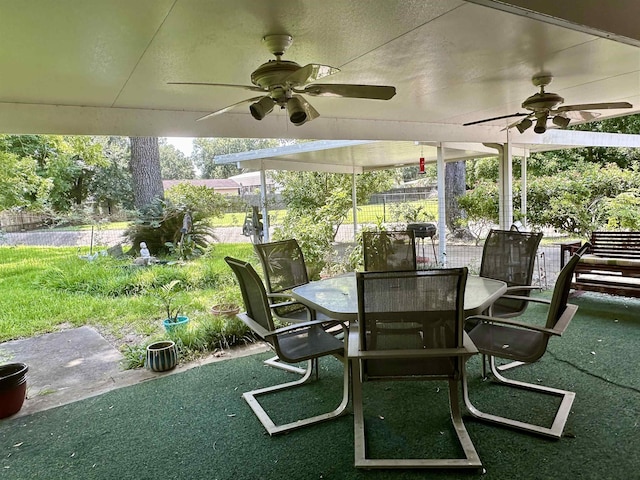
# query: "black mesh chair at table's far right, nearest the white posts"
(510, 256)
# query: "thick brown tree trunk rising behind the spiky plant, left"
(145, 170)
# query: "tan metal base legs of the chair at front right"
(560, 419)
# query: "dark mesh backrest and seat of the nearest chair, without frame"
(407, 311)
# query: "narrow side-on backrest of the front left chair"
(253, 294)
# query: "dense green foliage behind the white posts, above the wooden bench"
(574, 190)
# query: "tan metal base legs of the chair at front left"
(267, 422)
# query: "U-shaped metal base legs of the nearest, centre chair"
(471, 460)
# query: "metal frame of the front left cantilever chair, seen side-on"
(273, 337)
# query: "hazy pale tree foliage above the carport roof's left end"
(206, 149)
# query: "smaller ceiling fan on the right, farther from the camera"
(544, 105)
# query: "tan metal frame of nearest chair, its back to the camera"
(357, 356)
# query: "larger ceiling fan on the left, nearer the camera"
(281, 82)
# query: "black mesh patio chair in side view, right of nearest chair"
(526, 342)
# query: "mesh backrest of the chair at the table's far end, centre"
(389, 251)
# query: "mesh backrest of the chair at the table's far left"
(283, 265)
